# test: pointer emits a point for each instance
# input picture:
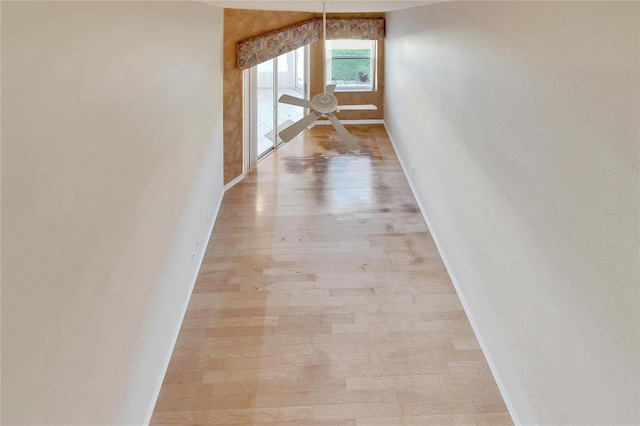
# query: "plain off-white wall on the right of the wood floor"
(520, 121)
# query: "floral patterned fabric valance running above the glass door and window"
(258, 49)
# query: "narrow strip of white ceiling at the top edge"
(335, 6)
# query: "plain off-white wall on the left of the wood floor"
(111, 159)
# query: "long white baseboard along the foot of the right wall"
(463, 301)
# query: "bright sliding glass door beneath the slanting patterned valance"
(264, 116)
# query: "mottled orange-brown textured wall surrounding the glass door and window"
(240, 24)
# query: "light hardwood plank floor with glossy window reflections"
(322, 300)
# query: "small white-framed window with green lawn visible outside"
(351, 64)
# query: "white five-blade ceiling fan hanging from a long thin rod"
(321, 105)
